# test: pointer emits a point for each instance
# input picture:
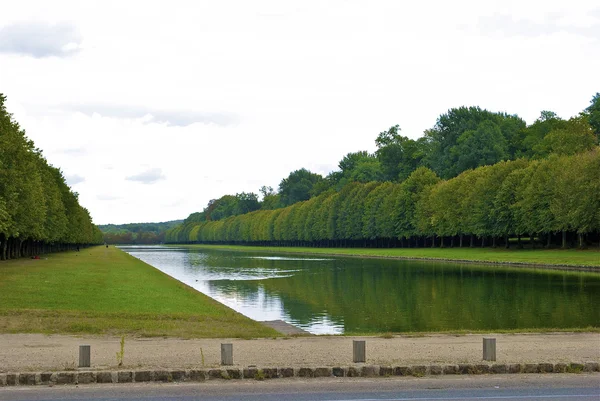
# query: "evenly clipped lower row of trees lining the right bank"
(556, 199)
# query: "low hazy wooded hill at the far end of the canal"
(137, 233)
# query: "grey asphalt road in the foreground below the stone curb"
(552, 387)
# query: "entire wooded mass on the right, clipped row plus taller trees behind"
(476, 177)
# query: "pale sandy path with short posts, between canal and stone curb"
(36, 352)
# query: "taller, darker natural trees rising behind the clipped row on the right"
(462, 139)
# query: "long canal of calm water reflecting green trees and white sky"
(326, 295)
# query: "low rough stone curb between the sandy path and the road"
(254, 373)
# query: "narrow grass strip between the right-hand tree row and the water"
(548, 257)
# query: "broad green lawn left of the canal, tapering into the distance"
(106, 291)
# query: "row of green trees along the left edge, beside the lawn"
(38, 211)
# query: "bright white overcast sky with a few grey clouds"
(152, 108)
